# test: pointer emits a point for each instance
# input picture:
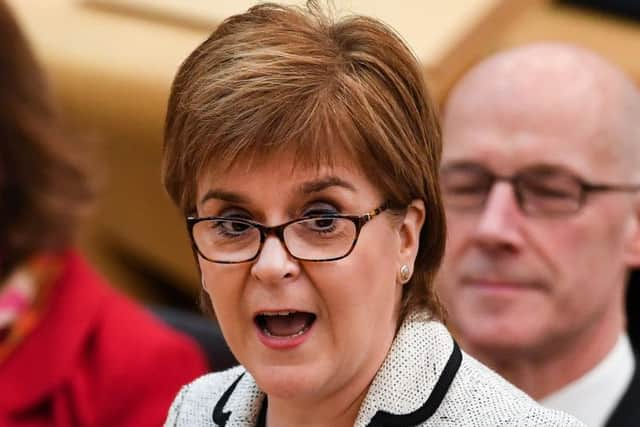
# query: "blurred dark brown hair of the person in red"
(44, 187)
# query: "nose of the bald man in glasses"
(500, 222)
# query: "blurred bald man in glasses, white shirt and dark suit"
(540, 175)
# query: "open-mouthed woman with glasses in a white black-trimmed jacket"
(304, 153)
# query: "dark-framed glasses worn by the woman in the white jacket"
(318, 238)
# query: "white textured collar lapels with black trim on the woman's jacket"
(407, 390)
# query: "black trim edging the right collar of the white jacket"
(420, 415)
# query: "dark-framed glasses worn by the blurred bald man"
(539, 190)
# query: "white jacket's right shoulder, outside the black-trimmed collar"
(480, 397)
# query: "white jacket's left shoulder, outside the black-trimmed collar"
(194, 404)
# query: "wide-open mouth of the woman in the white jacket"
(284, 326)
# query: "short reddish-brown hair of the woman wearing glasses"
(292, 78)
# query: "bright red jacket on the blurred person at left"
(95, 359)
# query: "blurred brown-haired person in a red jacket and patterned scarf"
(72, 351)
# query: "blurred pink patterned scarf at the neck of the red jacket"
(23, 297)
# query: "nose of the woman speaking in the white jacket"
(274, 262)
